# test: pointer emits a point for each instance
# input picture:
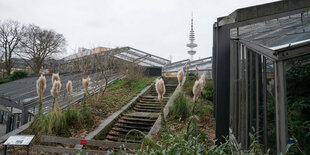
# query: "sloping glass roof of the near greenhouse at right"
(276, 34)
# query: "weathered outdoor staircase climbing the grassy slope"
(142, 116)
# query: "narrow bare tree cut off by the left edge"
(10, 36)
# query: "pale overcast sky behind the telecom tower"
(160, 27)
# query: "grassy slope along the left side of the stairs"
(119, 93)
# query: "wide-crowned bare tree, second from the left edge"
(39, 44)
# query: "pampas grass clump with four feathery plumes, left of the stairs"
(59, 123)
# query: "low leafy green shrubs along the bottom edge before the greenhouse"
(191, 144)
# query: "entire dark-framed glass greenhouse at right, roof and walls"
(268, 75)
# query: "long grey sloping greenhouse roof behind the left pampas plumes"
(22, 93)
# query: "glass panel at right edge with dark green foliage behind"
(298, 103)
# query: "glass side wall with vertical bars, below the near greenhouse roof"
(256, 98)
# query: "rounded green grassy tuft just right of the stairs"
(181, 107)
